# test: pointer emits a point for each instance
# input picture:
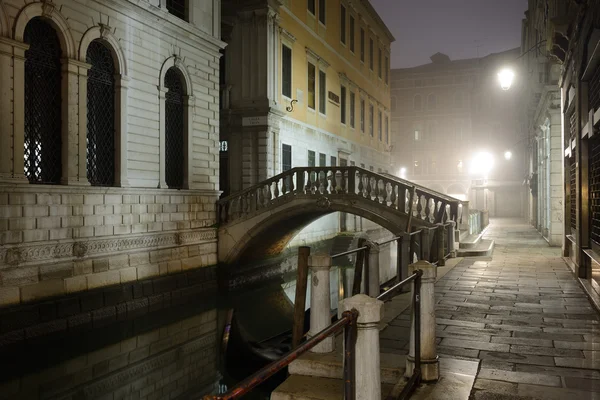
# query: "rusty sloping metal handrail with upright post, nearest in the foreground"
(347, 322)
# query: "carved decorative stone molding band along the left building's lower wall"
(78, 249)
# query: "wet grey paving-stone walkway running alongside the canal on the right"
(520, 312)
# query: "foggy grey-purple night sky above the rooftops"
(454, 27)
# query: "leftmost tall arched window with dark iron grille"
(42, 136)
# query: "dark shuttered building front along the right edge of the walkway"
(574, 41)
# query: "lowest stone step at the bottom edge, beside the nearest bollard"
(300, 387)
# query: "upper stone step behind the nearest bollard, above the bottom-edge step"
(330, 365)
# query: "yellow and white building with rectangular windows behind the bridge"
(304, 84)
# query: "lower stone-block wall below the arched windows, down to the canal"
(55, 243)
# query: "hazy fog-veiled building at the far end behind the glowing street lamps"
(448, 112)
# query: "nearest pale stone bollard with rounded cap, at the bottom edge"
(367, 378)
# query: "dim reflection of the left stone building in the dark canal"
(172, 354)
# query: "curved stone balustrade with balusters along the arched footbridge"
(351, 182)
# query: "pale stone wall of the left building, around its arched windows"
(59, 239)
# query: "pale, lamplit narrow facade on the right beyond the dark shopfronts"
(542, 107)
